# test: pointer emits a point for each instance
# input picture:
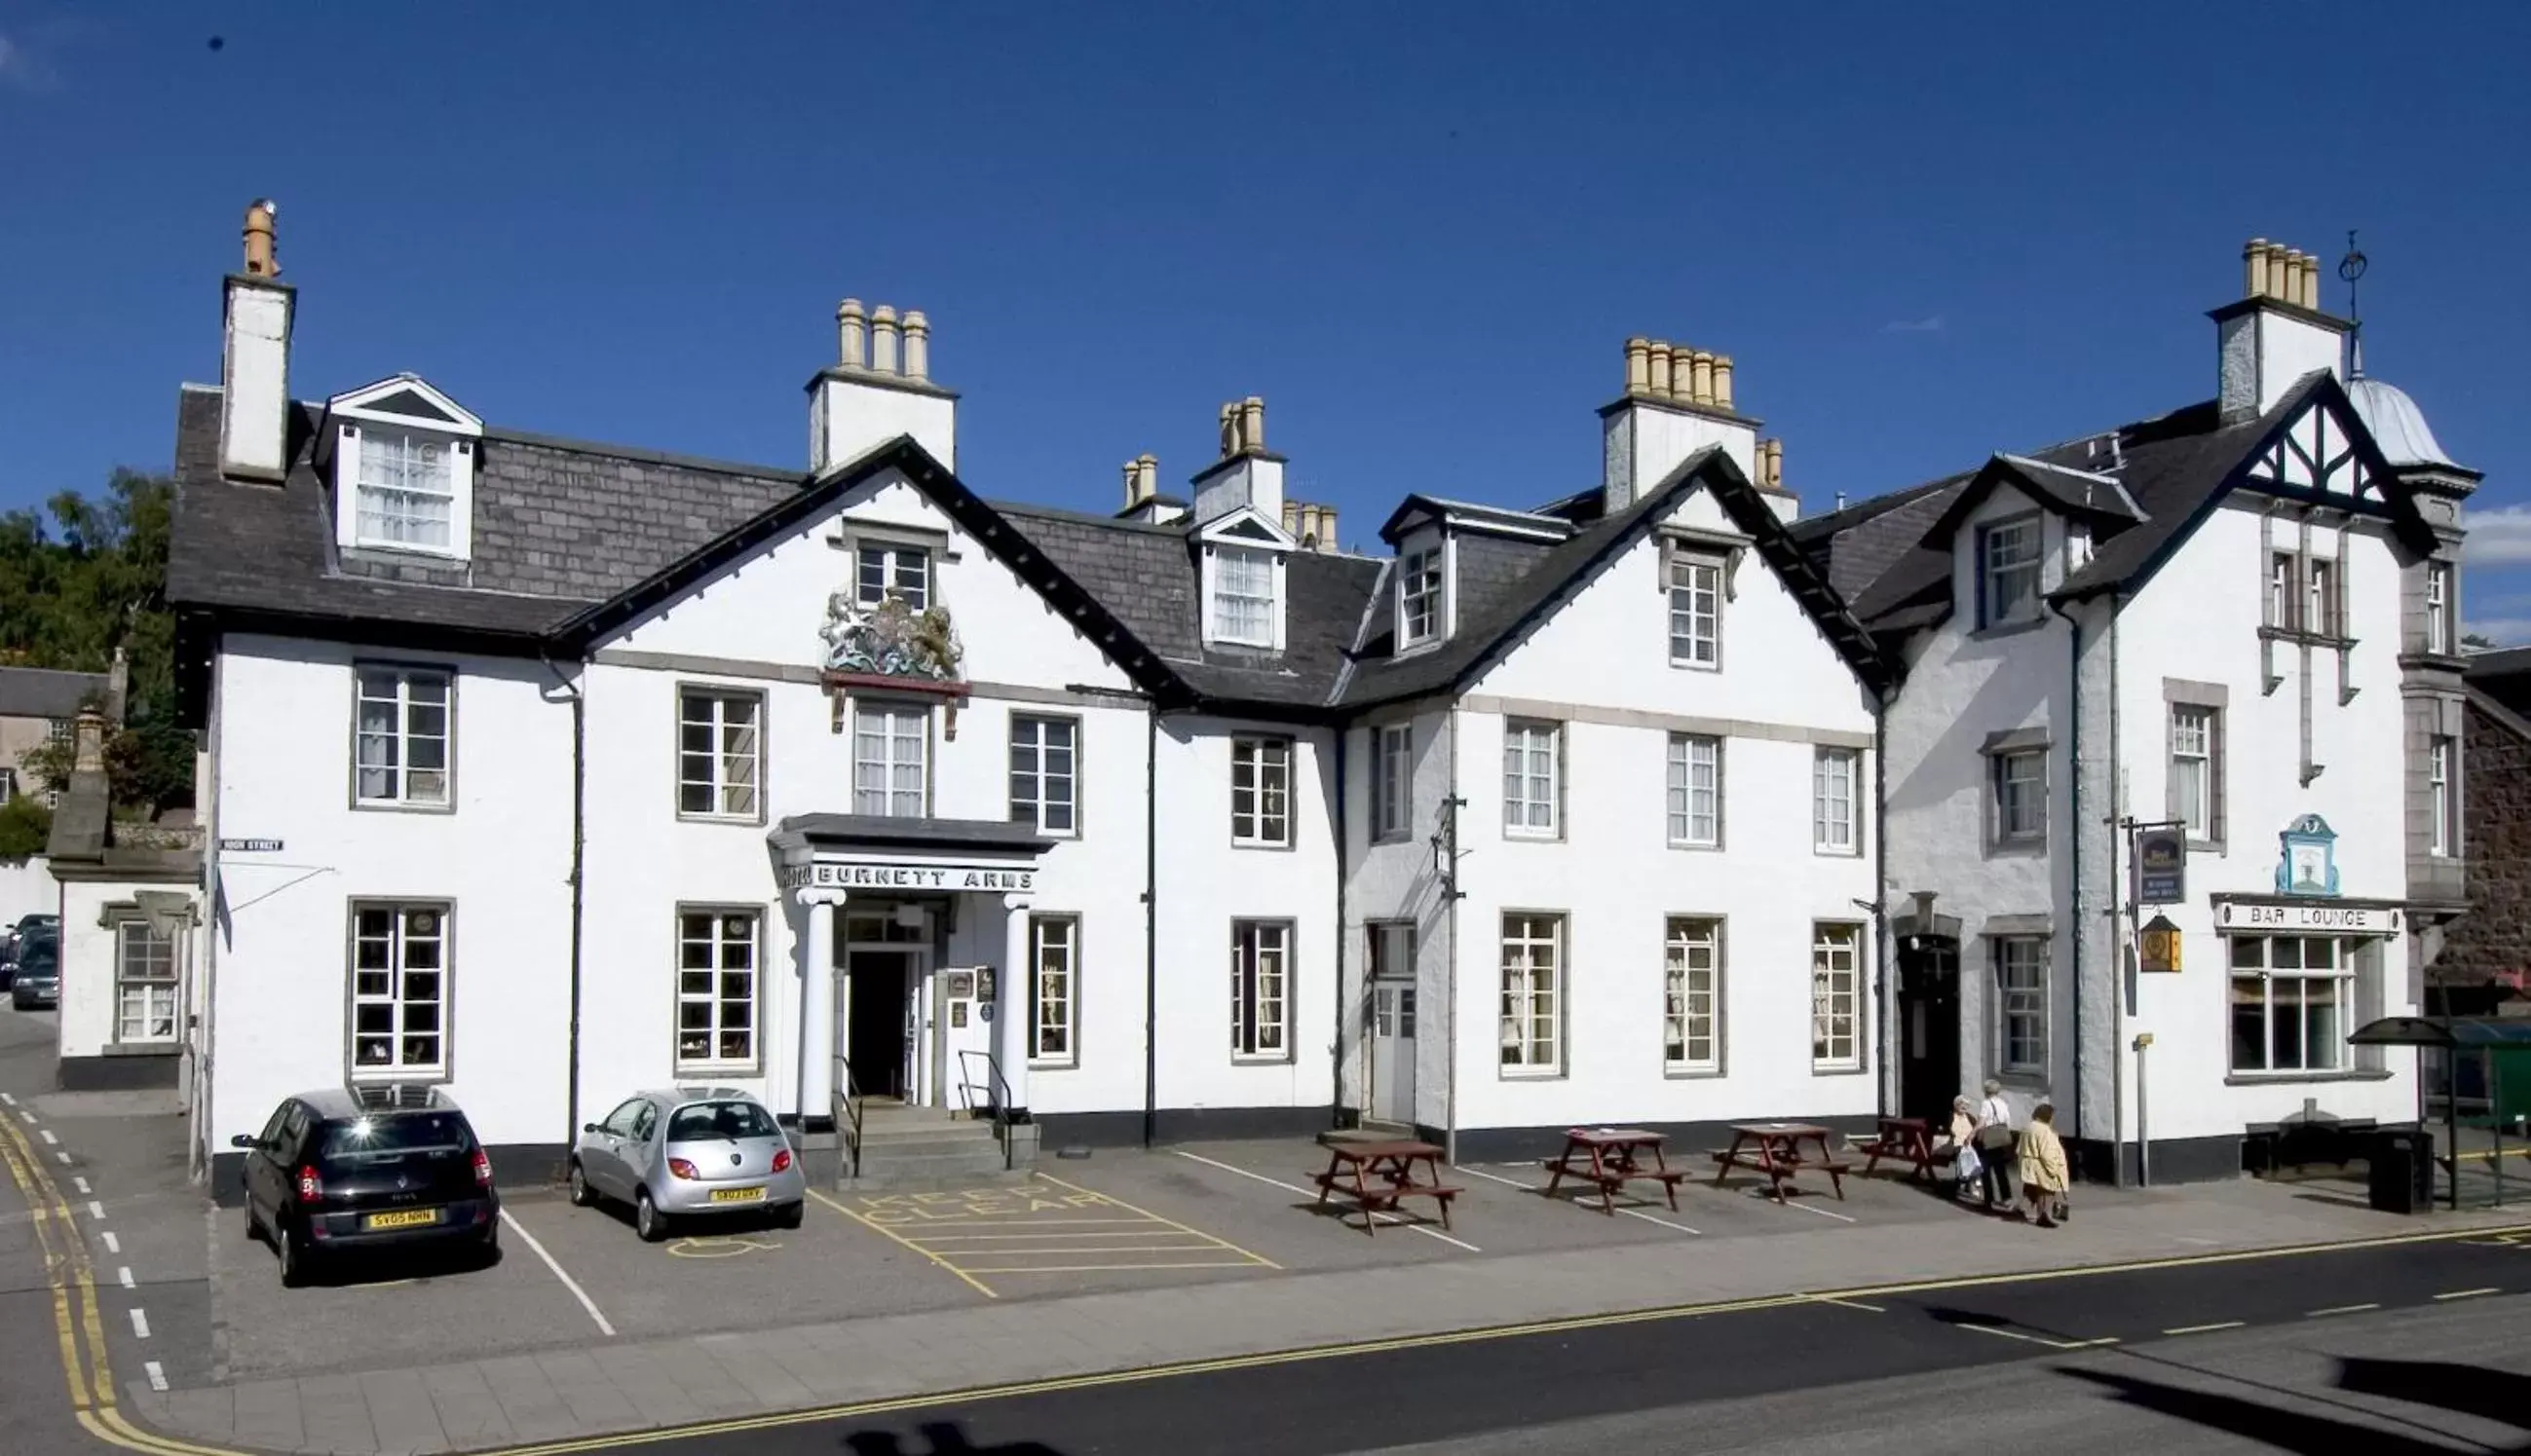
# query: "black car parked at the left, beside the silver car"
(361, 1171)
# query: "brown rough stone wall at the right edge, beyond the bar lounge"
(2497, 834)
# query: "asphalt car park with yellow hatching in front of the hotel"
(1231, 1212)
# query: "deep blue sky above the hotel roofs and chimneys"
(1421, 234)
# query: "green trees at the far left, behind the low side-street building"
(82, 579)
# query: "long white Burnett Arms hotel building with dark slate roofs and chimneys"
(550, 771)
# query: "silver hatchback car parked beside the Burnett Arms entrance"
(690, 1151)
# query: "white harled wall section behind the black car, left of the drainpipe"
(282, 746)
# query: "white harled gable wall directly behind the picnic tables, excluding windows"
(1783, 687)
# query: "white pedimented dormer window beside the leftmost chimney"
(404, 462)
